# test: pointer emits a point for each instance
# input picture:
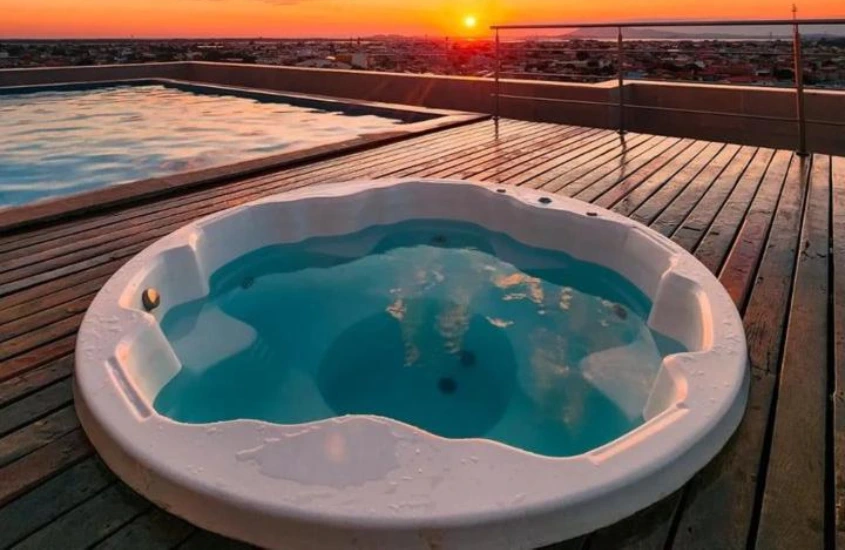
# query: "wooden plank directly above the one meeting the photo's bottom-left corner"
(33, 469)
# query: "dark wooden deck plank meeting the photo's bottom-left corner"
(54, 497)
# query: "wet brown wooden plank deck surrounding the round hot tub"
(770, 224)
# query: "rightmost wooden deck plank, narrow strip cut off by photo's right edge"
(837, 180)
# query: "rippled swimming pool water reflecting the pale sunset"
(61, 142)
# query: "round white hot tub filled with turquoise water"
(410, 364)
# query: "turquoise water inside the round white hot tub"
(443, 325)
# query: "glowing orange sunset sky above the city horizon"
(343, 18)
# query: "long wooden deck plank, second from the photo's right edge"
(793, 513)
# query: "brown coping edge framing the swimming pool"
(102, 199)
